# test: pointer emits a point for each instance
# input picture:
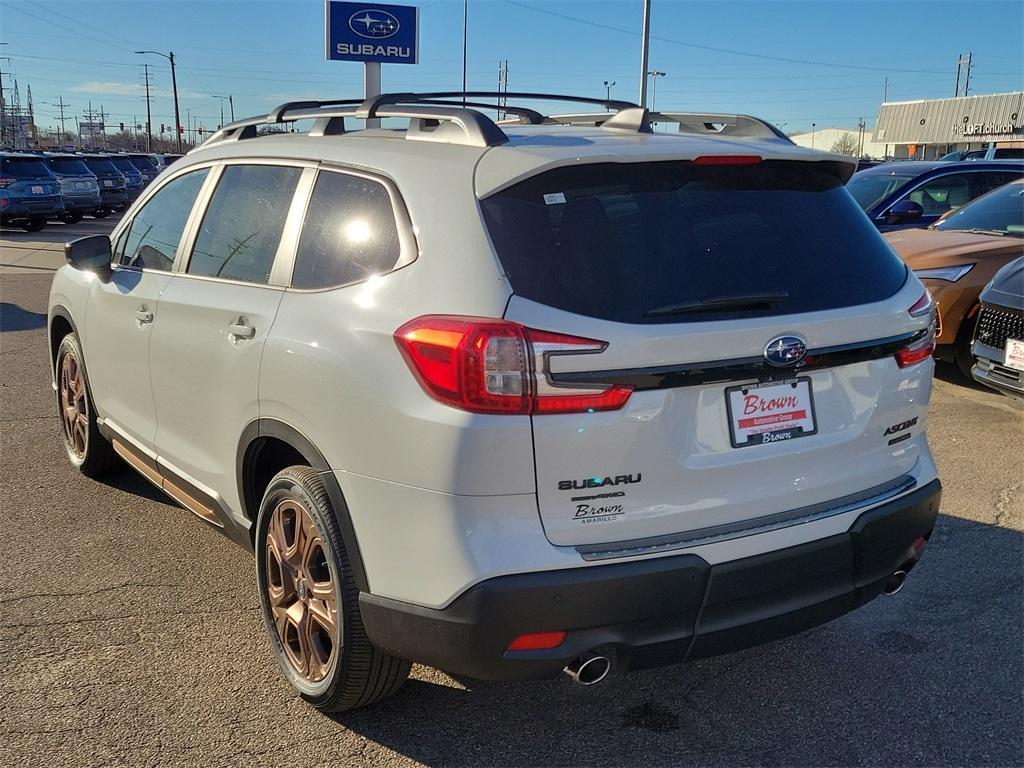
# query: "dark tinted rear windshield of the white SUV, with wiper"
(676, 242)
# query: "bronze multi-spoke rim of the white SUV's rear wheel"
(302, 591)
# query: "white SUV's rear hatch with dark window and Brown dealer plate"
(758, 324)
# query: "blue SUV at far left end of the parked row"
(30, 194)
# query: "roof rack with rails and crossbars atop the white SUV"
(455, 117)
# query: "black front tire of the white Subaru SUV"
(87, 449)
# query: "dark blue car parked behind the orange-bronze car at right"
(916, 194)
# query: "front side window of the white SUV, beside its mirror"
(153, 239)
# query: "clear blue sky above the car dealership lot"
(792, 63)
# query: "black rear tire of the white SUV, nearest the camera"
(358, 674)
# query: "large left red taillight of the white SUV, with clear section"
(497, 367)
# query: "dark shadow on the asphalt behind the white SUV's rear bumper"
(931, 676)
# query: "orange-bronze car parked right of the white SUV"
(958, 257)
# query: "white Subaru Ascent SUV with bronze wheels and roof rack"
(511, 399)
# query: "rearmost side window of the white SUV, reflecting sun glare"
(350, 233)
